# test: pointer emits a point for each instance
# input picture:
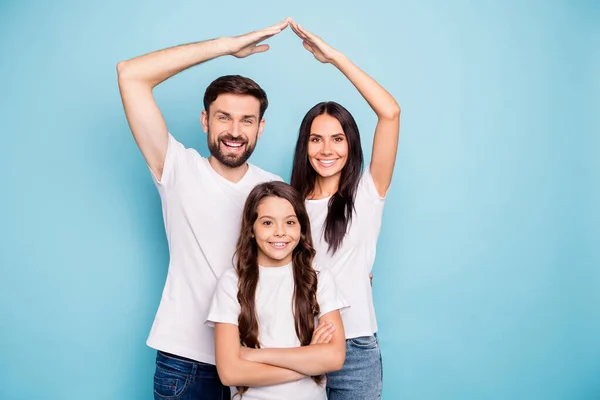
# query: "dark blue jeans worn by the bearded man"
(182, 379)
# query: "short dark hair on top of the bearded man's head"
(235, 84)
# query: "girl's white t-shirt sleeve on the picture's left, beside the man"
(225, 307)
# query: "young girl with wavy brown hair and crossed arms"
(265, 310)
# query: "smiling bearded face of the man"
(233, 127)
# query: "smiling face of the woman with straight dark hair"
(327, 146)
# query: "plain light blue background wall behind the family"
(487, 281)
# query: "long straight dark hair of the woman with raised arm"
(341, 204)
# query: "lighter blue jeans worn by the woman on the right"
(361, 377)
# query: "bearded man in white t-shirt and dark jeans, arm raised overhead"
(202, 201)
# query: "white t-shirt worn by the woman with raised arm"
(354, 259)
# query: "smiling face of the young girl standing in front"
(277, 232)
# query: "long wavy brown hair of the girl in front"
(305, 304)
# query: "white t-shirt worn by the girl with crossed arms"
(274, 309)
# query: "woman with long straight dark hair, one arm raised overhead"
(345, 206)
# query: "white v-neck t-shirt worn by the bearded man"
(202, 215)
